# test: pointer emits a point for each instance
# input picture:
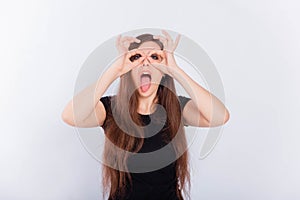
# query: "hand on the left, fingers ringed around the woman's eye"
(127, 60)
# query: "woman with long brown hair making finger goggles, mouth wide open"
(147, 69)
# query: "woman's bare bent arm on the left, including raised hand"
(86, 109)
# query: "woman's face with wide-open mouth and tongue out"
(146, 77)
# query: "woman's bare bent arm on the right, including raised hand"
(204, 109)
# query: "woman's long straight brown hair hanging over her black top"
(116, 181)
